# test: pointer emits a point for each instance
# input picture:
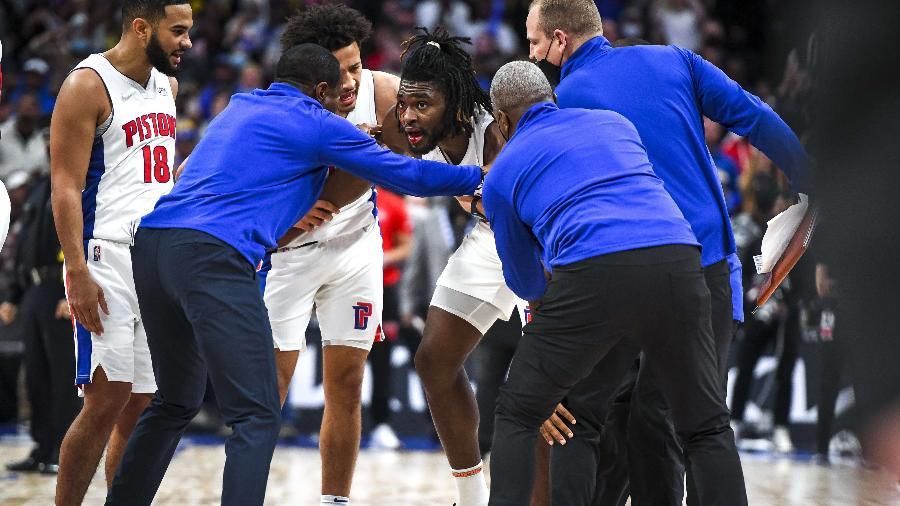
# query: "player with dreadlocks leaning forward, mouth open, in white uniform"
(446, 117)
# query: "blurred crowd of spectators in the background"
(235, 44)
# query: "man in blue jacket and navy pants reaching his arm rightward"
(260, 167)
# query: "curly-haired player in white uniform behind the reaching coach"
(333, 259)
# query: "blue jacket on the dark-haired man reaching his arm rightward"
(262, 164)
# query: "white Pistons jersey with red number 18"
(131, 160)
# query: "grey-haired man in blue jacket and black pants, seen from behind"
(574, 194)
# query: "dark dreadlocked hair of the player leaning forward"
(439, 58)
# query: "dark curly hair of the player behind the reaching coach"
(330, 25)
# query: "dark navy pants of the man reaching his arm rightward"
(204, 314)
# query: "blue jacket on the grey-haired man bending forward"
(573, 184)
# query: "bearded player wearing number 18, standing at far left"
(112, 143)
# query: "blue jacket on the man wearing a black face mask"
(665, 91)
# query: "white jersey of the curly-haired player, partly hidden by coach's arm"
(361, 212)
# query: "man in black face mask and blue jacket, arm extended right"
(664, 91)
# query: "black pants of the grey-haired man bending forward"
(655, 297)
